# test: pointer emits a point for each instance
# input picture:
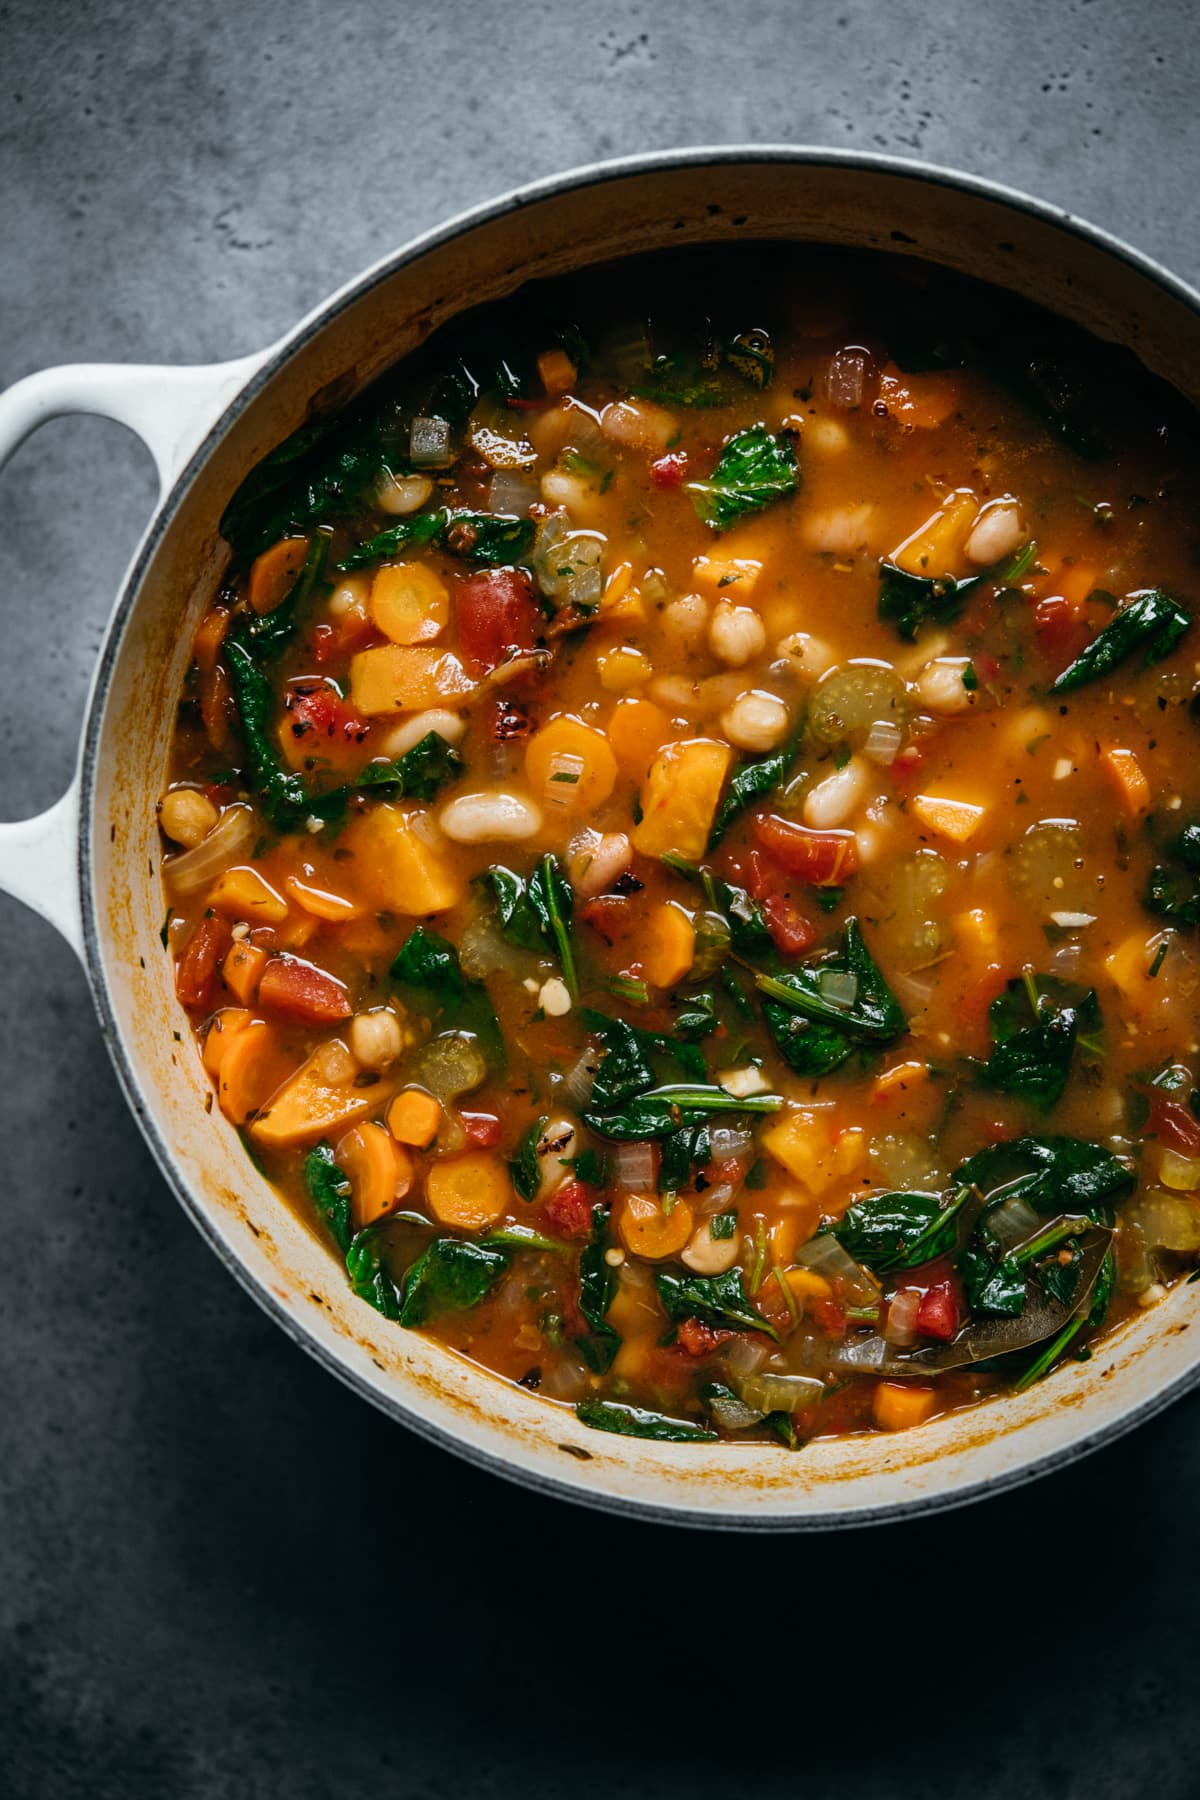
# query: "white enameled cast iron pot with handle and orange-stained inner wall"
(91, 865)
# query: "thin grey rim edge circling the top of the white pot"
(170, 503)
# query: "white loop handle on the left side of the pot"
(172, 411)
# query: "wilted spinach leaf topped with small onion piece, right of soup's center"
(814, 1030)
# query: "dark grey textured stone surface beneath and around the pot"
(220, 1574)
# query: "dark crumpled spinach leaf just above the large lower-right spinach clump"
(1035, 1027)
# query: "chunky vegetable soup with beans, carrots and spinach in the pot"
(685, 843)
